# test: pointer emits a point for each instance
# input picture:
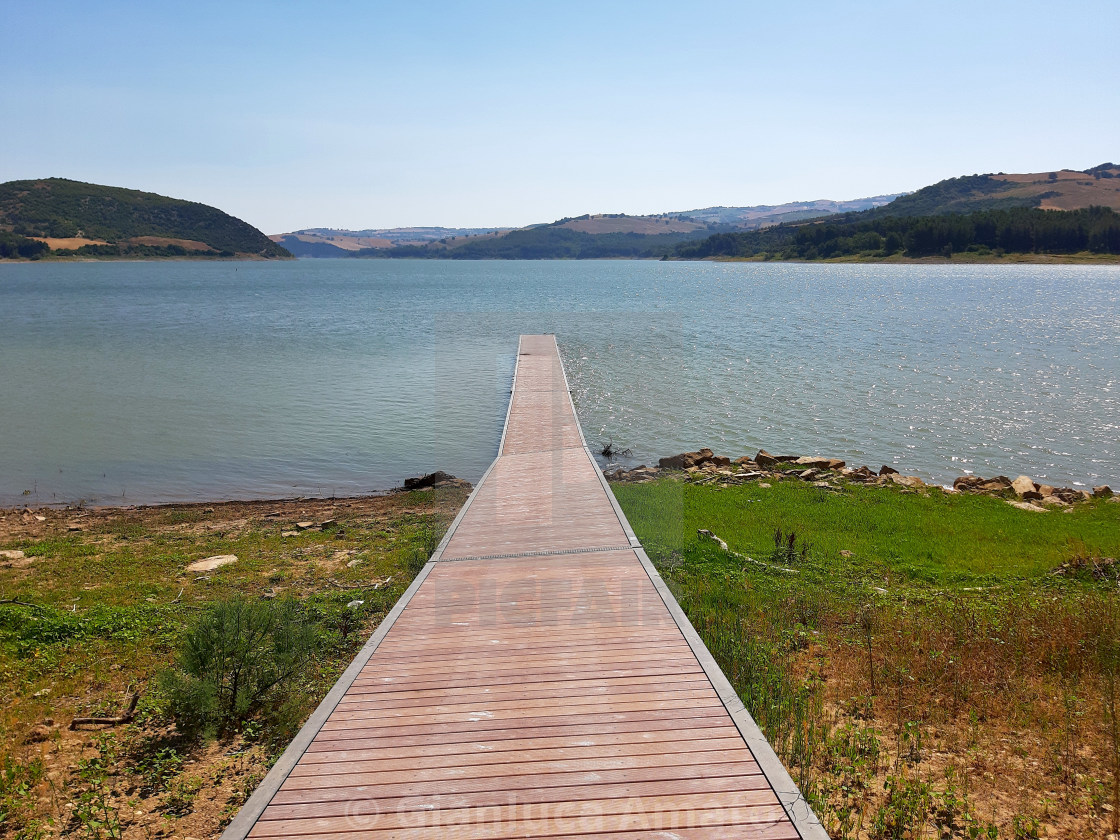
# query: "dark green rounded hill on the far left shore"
(73, 219)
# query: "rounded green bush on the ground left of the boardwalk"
(237, 658)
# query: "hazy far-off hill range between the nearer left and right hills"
(590, 237)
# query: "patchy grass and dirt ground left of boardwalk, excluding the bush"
(109, 609)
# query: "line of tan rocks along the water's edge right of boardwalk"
(706, 468)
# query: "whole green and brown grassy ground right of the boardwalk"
(922, 675)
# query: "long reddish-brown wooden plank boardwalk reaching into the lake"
(537, 680)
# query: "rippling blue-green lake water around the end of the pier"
(172, 381)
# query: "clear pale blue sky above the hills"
(388, 115)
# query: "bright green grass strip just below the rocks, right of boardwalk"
(939, 538)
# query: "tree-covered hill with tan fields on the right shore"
(982, 217)
